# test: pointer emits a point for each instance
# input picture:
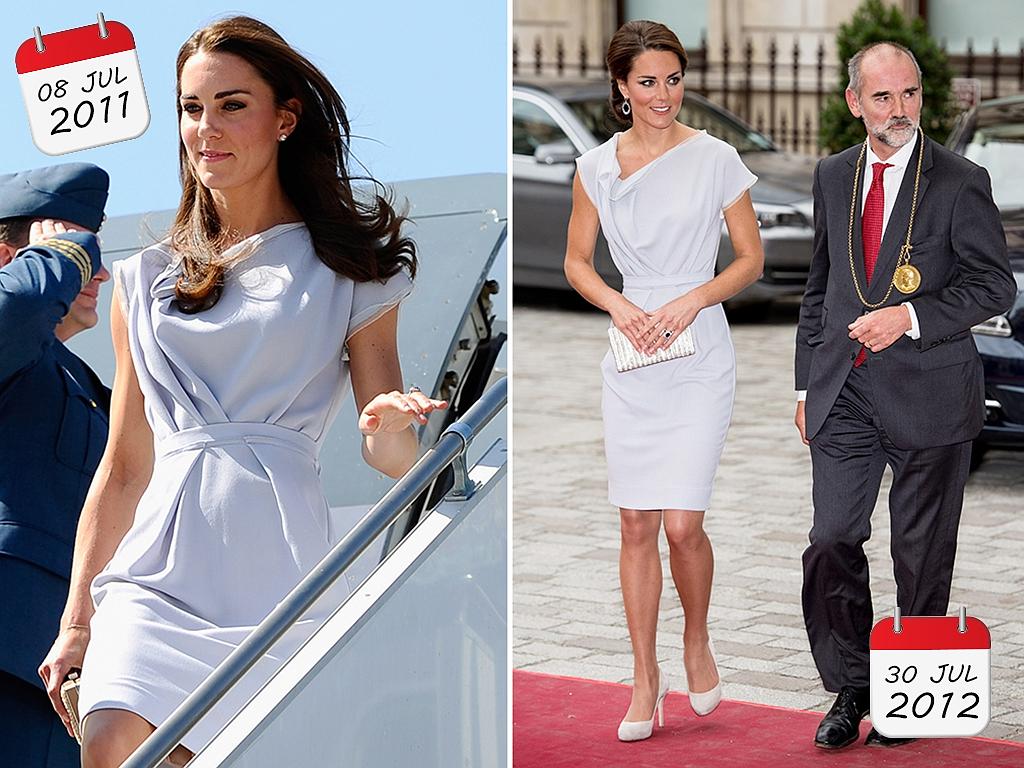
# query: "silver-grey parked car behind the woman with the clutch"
(554, 123)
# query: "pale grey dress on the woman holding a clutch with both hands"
(665, 424)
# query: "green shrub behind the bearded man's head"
(873, 22)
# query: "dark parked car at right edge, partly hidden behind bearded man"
(993, 136)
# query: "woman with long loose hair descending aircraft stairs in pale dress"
(236, 342)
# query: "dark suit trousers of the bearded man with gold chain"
(848, 458)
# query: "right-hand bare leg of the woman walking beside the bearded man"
(693, 563)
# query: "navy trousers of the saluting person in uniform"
(31, 734)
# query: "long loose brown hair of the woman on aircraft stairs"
(358, 237)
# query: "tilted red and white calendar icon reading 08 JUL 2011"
(82, 88)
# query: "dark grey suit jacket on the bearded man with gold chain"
(928, 392)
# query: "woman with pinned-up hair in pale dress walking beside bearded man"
(659, 192)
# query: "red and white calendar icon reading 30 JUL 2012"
(930, 676)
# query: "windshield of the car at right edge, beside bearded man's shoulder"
(998, 144)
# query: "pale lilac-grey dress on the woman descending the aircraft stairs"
(240, 399)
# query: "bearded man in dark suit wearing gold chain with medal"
(890, 372)
